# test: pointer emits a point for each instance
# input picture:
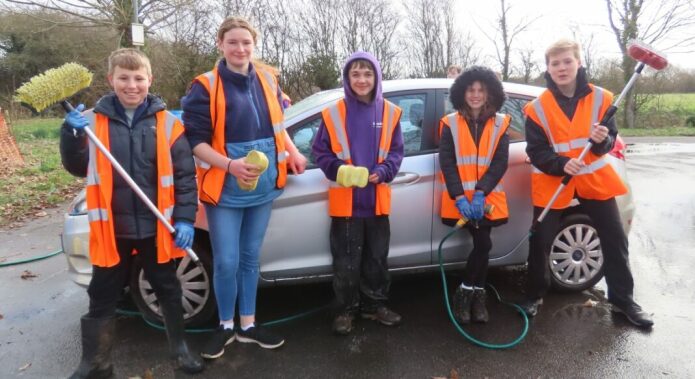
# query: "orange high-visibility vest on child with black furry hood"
(473, 162)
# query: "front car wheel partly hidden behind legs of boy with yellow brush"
(198, 299)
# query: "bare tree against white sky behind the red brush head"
(669, 23)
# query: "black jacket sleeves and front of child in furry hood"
(494, 173)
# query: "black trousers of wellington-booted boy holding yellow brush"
(107, 283)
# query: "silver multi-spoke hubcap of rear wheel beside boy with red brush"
(575, 256)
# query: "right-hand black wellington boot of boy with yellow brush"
(173, 321)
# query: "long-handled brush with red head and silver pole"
(646, 56)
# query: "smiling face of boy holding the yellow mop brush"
(131, 86)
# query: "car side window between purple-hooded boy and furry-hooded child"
(412, 118)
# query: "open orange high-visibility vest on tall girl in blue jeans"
(211, 179)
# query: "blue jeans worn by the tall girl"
(236, 235)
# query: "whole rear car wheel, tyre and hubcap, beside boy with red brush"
(576, 261)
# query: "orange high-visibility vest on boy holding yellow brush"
(102, 241)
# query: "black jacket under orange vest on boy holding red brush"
(539, 149)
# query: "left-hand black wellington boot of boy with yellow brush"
(97, 340)
